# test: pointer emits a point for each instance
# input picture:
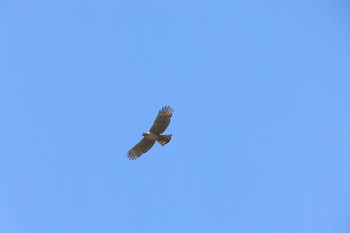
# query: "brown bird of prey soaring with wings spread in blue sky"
(154, 134)
